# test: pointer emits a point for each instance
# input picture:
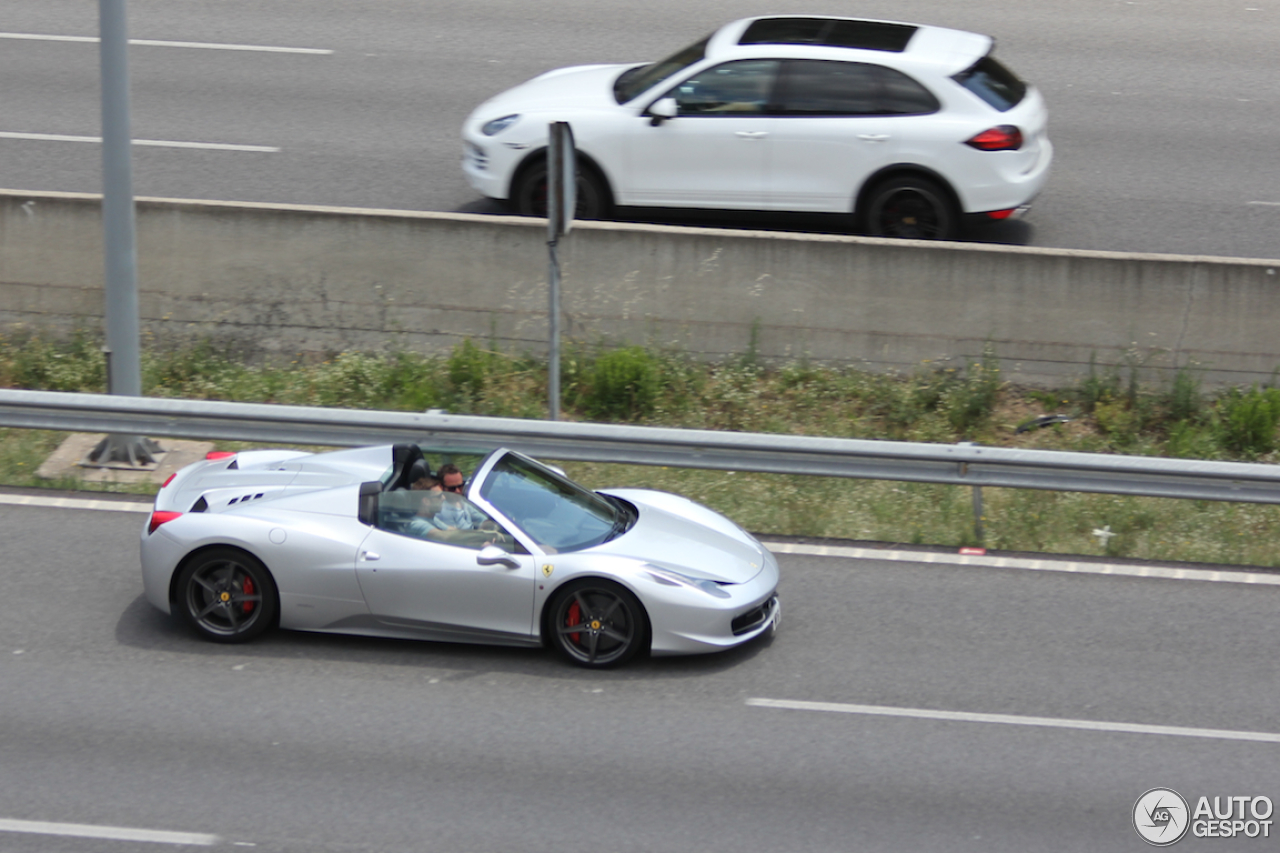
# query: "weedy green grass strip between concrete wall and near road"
(1107, 412)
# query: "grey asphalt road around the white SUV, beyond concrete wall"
(1164, 112)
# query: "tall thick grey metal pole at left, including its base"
(121, 293)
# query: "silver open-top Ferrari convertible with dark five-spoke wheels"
(350, 544)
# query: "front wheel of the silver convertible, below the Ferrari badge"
(598, 624)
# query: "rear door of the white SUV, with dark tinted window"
(840, 122)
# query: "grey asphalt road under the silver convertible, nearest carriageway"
(112, 715)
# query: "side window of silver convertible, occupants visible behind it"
(444, 518)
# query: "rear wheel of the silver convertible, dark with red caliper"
(227, 596)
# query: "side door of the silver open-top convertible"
(438, 582)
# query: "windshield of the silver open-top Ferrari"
(559, 514)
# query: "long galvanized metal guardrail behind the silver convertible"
(948, 464)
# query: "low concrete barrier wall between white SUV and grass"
(292, 280)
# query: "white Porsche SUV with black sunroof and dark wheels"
(904, 126)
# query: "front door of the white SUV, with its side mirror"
(714, 153)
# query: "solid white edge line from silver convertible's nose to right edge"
(989, 562)
